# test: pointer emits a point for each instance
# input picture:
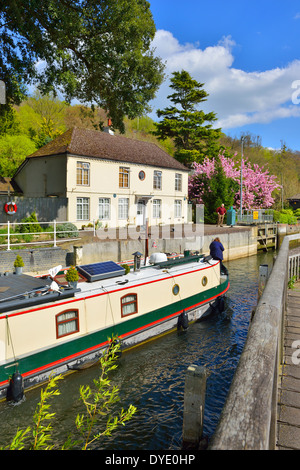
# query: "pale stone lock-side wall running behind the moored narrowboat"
(237, 244)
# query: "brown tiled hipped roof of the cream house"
(92, 143)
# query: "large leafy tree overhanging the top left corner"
(98, 51)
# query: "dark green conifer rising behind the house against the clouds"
(190, 128)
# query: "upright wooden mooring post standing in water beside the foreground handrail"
(194, 402)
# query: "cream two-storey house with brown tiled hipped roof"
(110, 178)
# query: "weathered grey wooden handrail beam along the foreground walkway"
(249, 417)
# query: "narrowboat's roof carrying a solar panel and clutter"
(20, 291)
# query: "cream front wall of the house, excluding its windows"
(104, 182)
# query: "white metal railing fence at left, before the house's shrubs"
(45, 237)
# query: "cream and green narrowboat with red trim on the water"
(47, 327)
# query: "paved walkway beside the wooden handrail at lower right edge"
(288, 425)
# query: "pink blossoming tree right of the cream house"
(258, 184)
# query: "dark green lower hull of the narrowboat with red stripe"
(75, 354)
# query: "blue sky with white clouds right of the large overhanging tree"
(247, 54)
